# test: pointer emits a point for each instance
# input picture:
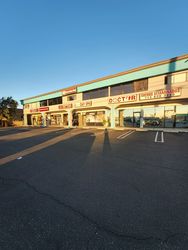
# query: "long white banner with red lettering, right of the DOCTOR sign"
(162, 93)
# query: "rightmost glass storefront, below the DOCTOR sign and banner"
(164, 116)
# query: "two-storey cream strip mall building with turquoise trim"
(154, 95)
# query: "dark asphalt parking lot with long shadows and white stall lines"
(93, 189)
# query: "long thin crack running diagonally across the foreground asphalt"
(85, 217)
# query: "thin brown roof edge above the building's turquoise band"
(115, 75)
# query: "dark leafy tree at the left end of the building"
(8, 108)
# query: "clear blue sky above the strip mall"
(50, 44)
